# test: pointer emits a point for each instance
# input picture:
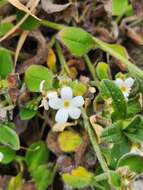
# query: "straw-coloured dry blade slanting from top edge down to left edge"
(35, 3)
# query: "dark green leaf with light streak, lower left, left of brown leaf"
(36, 155)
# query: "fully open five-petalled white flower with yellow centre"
(67, 105)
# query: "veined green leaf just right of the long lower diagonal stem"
(112, 133)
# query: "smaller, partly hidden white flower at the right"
(125, 86)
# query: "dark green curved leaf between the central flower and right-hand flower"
(109, 88)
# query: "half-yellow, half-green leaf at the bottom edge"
(79, 178)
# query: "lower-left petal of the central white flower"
(61, 116)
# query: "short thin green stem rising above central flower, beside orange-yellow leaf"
(61, 58)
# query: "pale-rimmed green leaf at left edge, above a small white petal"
(9, 137)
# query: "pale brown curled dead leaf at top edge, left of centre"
(49, 7)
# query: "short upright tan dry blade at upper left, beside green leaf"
(19, 45)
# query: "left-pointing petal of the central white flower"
(55, 103)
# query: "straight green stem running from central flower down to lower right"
(94, 142)
